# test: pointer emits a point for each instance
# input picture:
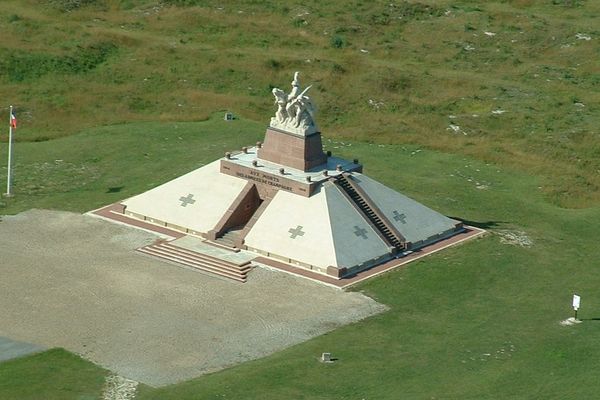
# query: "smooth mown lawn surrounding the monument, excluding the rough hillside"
(448, 311)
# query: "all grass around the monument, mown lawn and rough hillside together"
(116, 97)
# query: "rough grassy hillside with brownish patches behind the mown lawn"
(512, 82)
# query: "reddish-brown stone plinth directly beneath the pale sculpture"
(288, 149)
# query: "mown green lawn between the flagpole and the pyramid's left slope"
(102, 165)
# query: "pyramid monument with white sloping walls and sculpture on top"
(288, 200)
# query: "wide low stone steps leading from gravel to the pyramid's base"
(203, 262)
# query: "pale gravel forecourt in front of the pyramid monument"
(75, 281)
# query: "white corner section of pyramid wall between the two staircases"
(328, 224)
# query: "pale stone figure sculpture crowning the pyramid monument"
(295, 111)
